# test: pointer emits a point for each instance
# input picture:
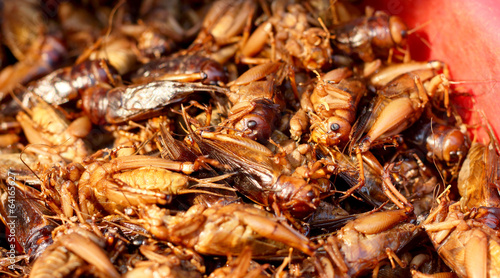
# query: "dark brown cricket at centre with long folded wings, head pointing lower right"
(258, 176)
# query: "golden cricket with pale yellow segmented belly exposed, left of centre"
(132, 181)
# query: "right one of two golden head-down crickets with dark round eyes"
(335, 100)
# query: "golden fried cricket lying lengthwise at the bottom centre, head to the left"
(221, 230)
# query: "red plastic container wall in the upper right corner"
(465, 35)
